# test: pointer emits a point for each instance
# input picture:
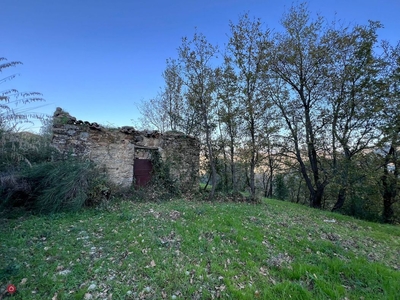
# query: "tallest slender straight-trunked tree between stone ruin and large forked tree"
(249, 47)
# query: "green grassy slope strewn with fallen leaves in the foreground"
(199, 250)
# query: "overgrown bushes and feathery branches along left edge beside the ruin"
(32, 176)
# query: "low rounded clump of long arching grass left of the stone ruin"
(64, 185)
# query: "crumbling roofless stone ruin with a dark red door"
(125, 153)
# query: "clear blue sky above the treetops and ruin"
(98, 59)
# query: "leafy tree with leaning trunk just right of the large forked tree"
(353, 94)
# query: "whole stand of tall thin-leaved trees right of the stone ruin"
(313, 105)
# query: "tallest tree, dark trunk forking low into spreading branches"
(298, 64)
